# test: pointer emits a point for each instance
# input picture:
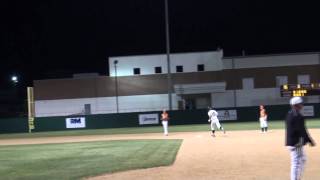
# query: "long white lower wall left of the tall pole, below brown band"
(103, 105)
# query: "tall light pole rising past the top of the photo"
(166, 6)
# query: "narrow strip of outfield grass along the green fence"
(230, 126)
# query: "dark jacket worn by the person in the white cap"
(295, 129)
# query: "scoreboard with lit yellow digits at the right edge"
(292, 90)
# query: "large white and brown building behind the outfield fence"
(60, 97)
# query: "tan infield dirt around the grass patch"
(239, 155)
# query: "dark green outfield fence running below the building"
(14, 125)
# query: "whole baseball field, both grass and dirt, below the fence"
(189, 152)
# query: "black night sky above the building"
(52, 39)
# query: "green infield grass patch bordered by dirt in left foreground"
(78, 160)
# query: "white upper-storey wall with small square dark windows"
(211, 60)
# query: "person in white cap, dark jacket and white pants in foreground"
(296, 137)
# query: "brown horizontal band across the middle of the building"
(104, 86)
